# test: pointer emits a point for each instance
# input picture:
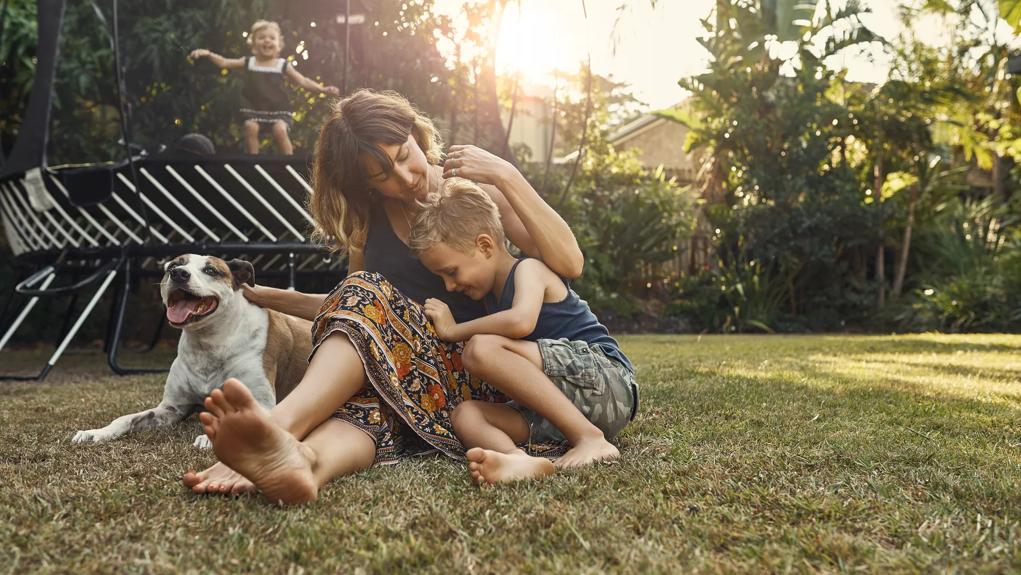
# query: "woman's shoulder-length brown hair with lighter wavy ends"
(360, 124)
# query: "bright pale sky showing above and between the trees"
(651, 49)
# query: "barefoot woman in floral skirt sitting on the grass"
(380, 385)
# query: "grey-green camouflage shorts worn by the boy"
(604, 391)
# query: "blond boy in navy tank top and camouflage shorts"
(541, 346)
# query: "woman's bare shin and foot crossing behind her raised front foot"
(334, 375)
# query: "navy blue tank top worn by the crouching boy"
(571, 318)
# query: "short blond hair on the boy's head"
(457, 218)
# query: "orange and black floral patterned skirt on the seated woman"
(415, 378)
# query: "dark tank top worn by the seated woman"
(386, 255)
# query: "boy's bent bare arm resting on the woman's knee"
(516, 323)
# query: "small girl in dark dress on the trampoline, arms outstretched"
(265, 101)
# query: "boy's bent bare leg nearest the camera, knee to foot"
(515, 367)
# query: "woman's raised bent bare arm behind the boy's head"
(528, 221)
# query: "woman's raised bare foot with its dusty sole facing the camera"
(247, 440)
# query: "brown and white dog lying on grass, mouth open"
(224, 336)
